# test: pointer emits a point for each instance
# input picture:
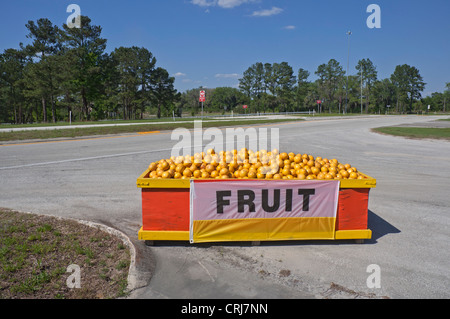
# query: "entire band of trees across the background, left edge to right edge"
(66, 74)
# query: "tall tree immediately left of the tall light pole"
(330, 75)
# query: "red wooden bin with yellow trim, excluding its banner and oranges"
(166, 209)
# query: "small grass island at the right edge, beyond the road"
(416, 132)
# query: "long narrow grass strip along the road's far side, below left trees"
(107, 130)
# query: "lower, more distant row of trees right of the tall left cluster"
(267, 87)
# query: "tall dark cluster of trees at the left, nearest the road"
(67, 72)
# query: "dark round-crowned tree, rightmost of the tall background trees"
(409, 83)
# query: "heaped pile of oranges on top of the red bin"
(246, 164)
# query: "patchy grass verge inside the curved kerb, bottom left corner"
(36, 252)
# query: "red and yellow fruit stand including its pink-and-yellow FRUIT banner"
(168, 205)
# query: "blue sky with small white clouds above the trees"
(212, 42)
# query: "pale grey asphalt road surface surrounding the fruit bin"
(95, 180)
